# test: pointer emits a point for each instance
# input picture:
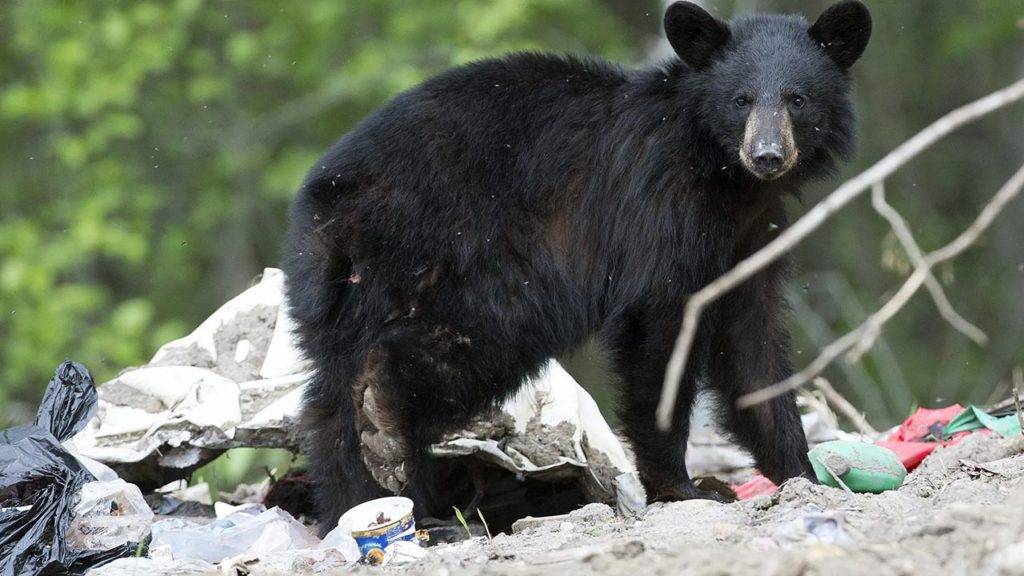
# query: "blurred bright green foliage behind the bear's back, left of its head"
(150, 149)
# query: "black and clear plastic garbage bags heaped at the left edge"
(62, 513)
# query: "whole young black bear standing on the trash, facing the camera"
(499, 214)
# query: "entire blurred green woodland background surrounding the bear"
(149, 152)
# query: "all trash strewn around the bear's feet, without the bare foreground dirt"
(98, 483)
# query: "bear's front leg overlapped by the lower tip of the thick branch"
(641, 342)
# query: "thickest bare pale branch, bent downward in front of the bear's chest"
(808, 224)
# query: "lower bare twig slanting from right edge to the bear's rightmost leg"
(871, 327)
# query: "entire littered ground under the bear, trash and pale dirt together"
(97, 485)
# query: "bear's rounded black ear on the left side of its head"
(696, 35)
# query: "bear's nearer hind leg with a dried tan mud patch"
(422, 381)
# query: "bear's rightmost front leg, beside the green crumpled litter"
(750, 350)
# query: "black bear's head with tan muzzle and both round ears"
(774, 91)
